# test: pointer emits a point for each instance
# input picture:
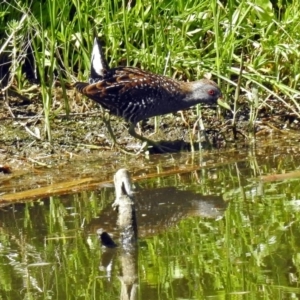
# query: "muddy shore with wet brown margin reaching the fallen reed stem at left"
(83, 137)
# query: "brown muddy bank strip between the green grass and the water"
(83, 135)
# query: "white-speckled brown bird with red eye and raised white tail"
(135, 94)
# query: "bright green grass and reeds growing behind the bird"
(245, 45)
